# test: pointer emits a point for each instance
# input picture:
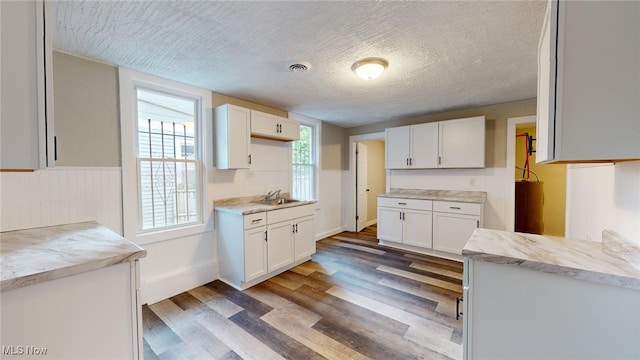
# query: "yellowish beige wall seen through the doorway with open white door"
(376, 176)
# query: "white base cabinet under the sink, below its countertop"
(254, 247)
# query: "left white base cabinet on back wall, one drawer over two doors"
(406, 221)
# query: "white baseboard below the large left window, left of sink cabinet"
(160, 288)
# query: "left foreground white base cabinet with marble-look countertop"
(70, 292)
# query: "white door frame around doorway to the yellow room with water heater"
(512, 123)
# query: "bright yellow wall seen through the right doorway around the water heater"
(554, 180)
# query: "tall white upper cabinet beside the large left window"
(232, 134)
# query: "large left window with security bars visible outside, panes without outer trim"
(168, 166)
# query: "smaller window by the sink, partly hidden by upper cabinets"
(304, 164)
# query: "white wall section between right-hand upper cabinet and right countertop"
(603, 197)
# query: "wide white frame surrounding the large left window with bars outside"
(130, 81)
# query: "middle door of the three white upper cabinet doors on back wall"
(424, 146)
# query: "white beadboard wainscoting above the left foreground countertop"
(61, 196)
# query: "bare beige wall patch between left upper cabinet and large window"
(86, 112)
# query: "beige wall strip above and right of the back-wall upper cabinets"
(496, 128)
